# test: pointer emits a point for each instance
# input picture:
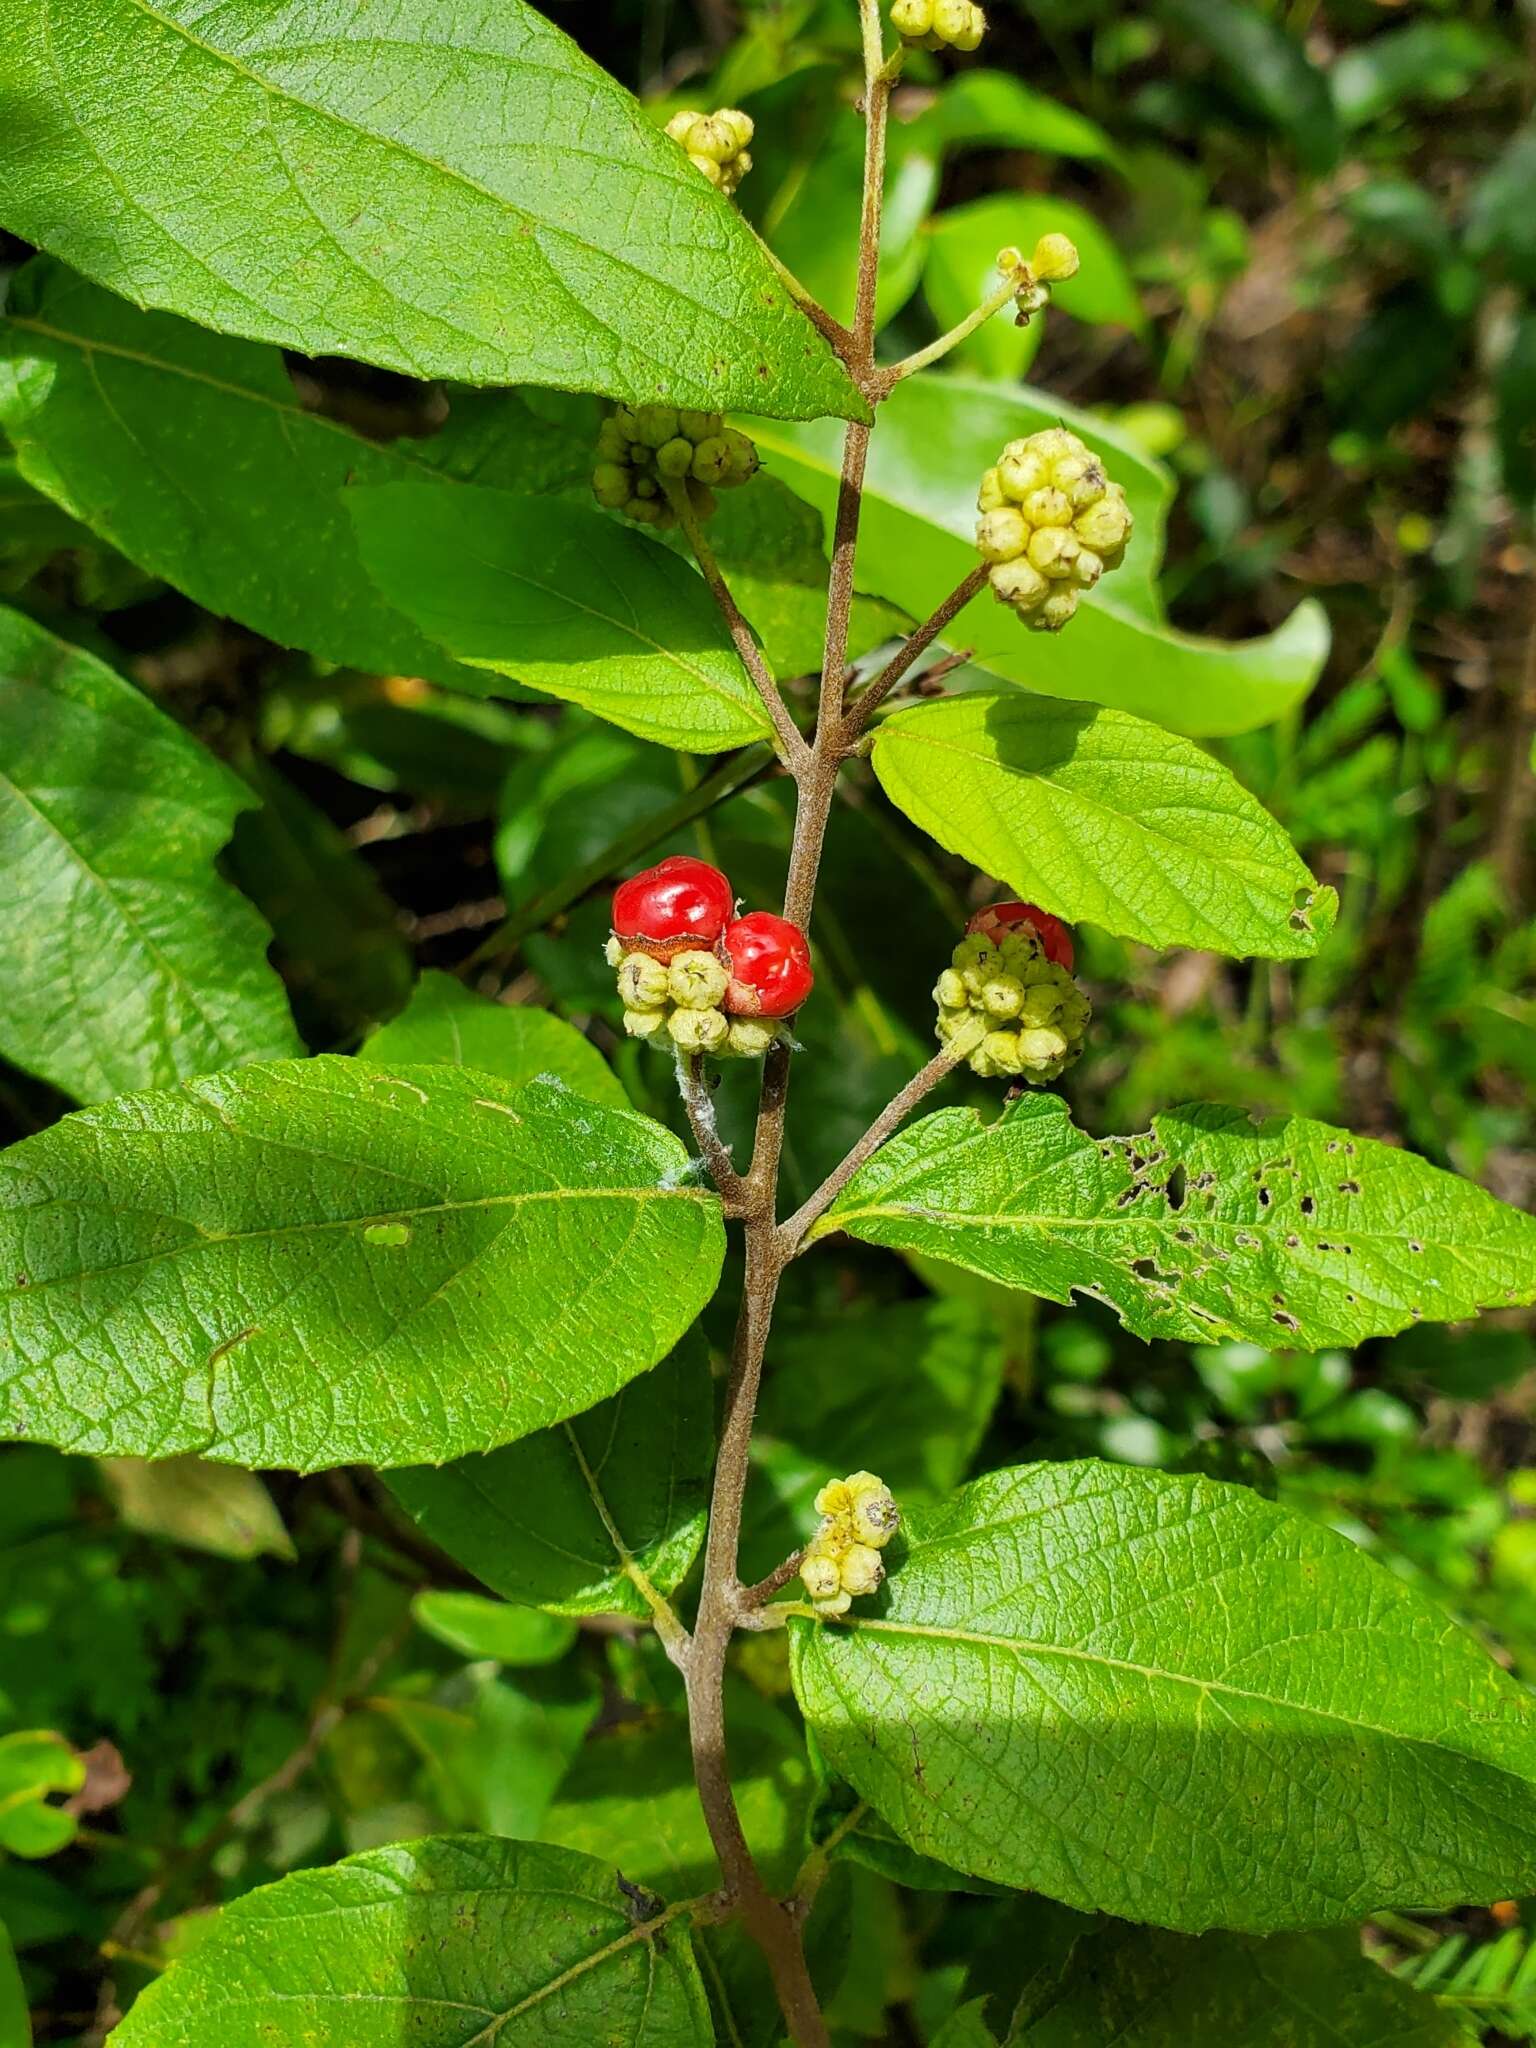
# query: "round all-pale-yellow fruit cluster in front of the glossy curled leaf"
(1052, 525)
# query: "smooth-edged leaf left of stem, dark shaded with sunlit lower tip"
(566, 601)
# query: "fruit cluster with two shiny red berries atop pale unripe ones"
(695, 972)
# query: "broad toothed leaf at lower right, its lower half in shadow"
(1074, 1658)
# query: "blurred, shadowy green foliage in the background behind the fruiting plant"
(1310, 273)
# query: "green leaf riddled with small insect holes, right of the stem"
(1209, 1228)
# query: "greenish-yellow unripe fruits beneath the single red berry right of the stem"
(1009, 1011)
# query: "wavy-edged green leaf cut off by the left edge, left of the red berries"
(126, 959)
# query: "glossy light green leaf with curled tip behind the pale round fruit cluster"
(939, 433)
